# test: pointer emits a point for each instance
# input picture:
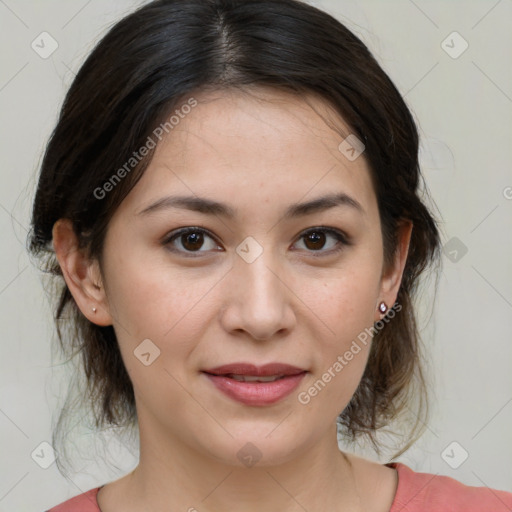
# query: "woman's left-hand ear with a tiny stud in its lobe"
(82, 275)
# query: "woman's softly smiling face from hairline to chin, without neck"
(248, 284)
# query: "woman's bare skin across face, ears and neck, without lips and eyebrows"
(207, 307)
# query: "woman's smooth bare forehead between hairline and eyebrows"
(256, 145)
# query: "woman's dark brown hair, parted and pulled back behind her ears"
(140, 71)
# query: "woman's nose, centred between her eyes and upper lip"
(259, 301)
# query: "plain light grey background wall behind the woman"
(464, 109)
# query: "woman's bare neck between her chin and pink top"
(172, 475)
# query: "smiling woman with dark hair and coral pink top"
(231, 196)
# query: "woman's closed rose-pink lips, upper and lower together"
(256, 385)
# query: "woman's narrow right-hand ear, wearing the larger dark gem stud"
(392, 277)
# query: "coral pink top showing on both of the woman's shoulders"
(416, 492)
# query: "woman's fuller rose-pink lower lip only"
(256, 393)
